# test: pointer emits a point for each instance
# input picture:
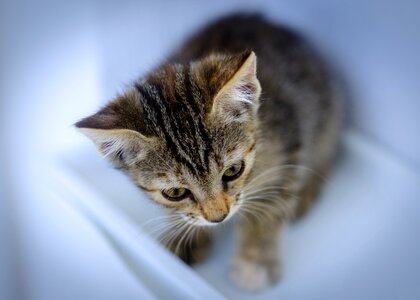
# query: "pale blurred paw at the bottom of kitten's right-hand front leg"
(254, 275)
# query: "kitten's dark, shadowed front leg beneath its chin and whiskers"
(192, 247)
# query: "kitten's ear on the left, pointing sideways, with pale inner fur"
(114, 136)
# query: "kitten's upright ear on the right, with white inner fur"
(238, 99)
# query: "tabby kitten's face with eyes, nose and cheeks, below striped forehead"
(207, 197)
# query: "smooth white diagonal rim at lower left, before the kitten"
(156, 270)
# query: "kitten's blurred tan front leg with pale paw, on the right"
(256, 264)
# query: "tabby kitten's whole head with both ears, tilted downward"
(186, 134)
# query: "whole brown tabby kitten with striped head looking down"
(244, 118)
